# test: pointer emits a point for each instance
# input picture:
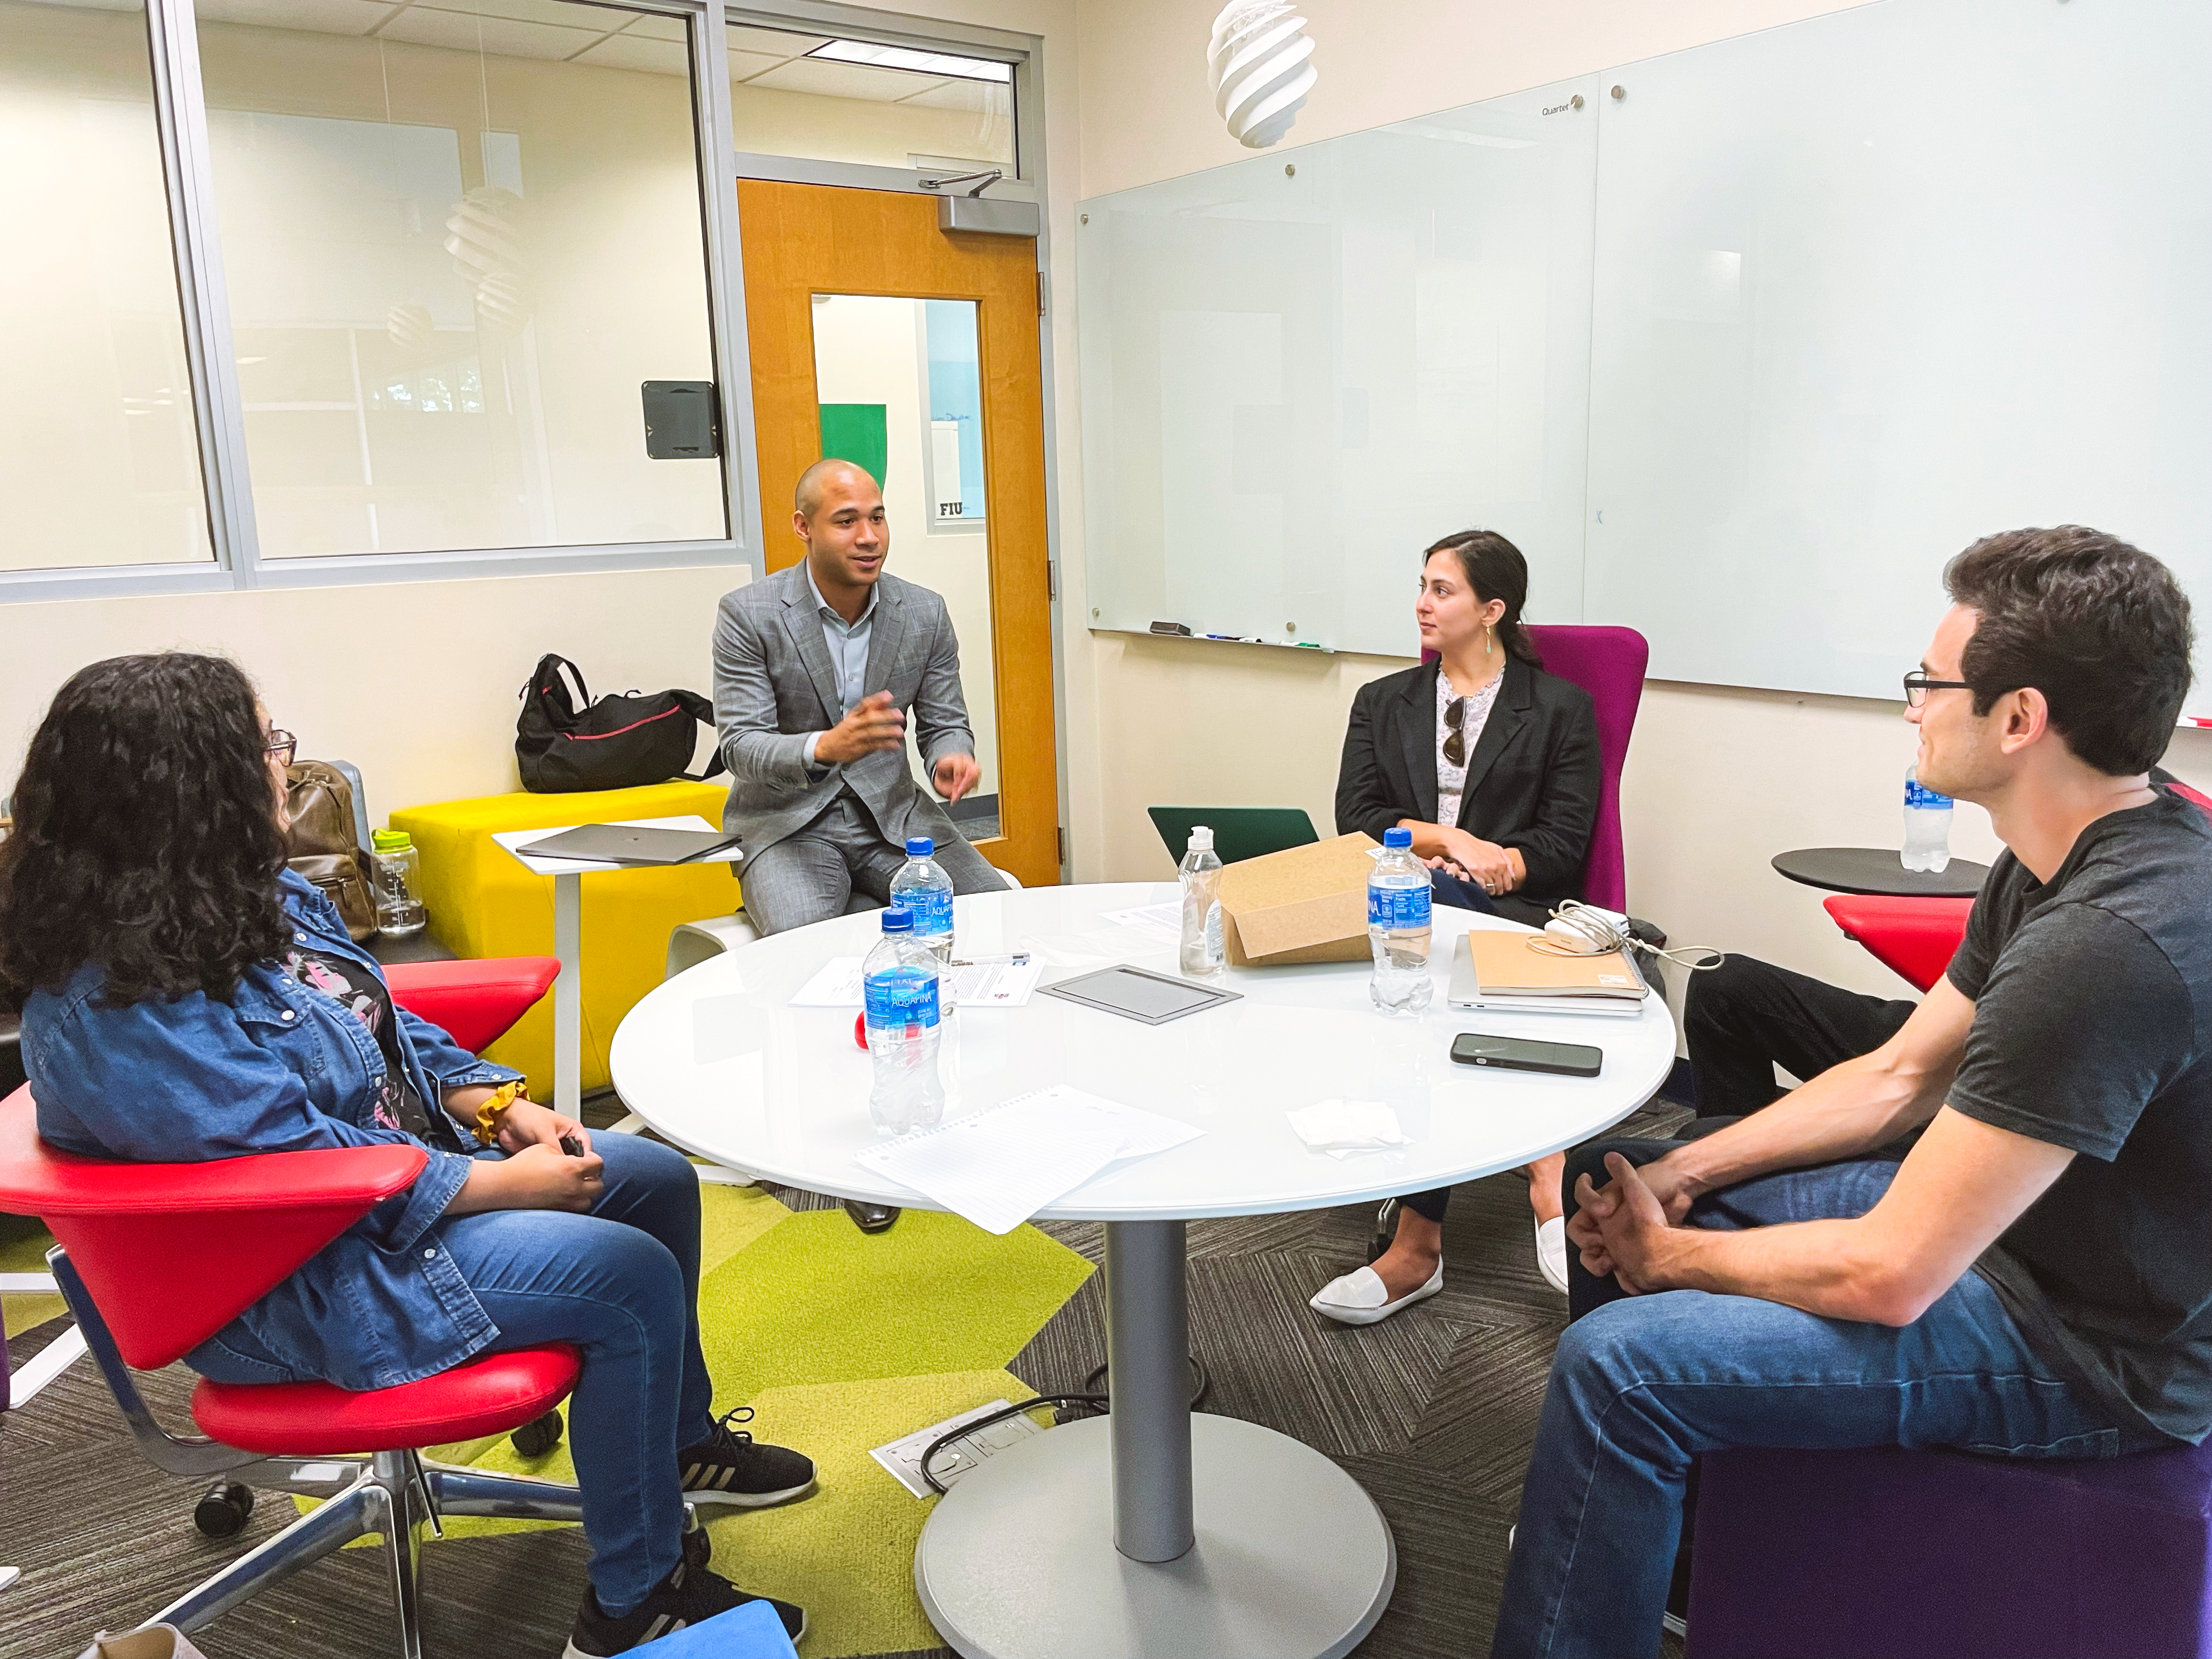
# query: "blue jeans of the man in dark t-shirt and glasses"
(1645, 1384)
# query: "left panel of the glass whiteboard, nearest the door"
(1304, 368)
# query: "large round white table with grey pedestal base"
(1151, 1530)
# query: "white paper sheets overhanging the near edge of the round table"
(1008, 1162)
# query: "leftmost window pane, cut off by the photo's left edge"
(98, 452)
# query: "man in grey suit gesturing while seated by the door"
(815, 671)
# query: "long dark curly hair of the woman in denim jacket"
(147, 835)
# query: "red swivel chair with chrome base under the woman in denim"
(158, 1258)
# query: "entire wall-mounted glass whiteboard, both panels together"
(1738, 359)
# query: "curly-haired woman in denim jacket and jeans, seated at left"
(185, 997)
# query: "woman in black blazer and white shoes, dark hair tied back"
(1494, 769)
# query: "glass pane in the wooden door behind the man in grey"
(899, 397)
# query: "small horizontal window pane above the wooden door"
(851, 101)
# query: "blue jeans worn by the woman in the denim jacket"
(623, 1284)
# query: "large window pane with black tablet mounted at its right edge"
(457, 242)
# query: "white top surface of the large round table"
(722, 1065)
